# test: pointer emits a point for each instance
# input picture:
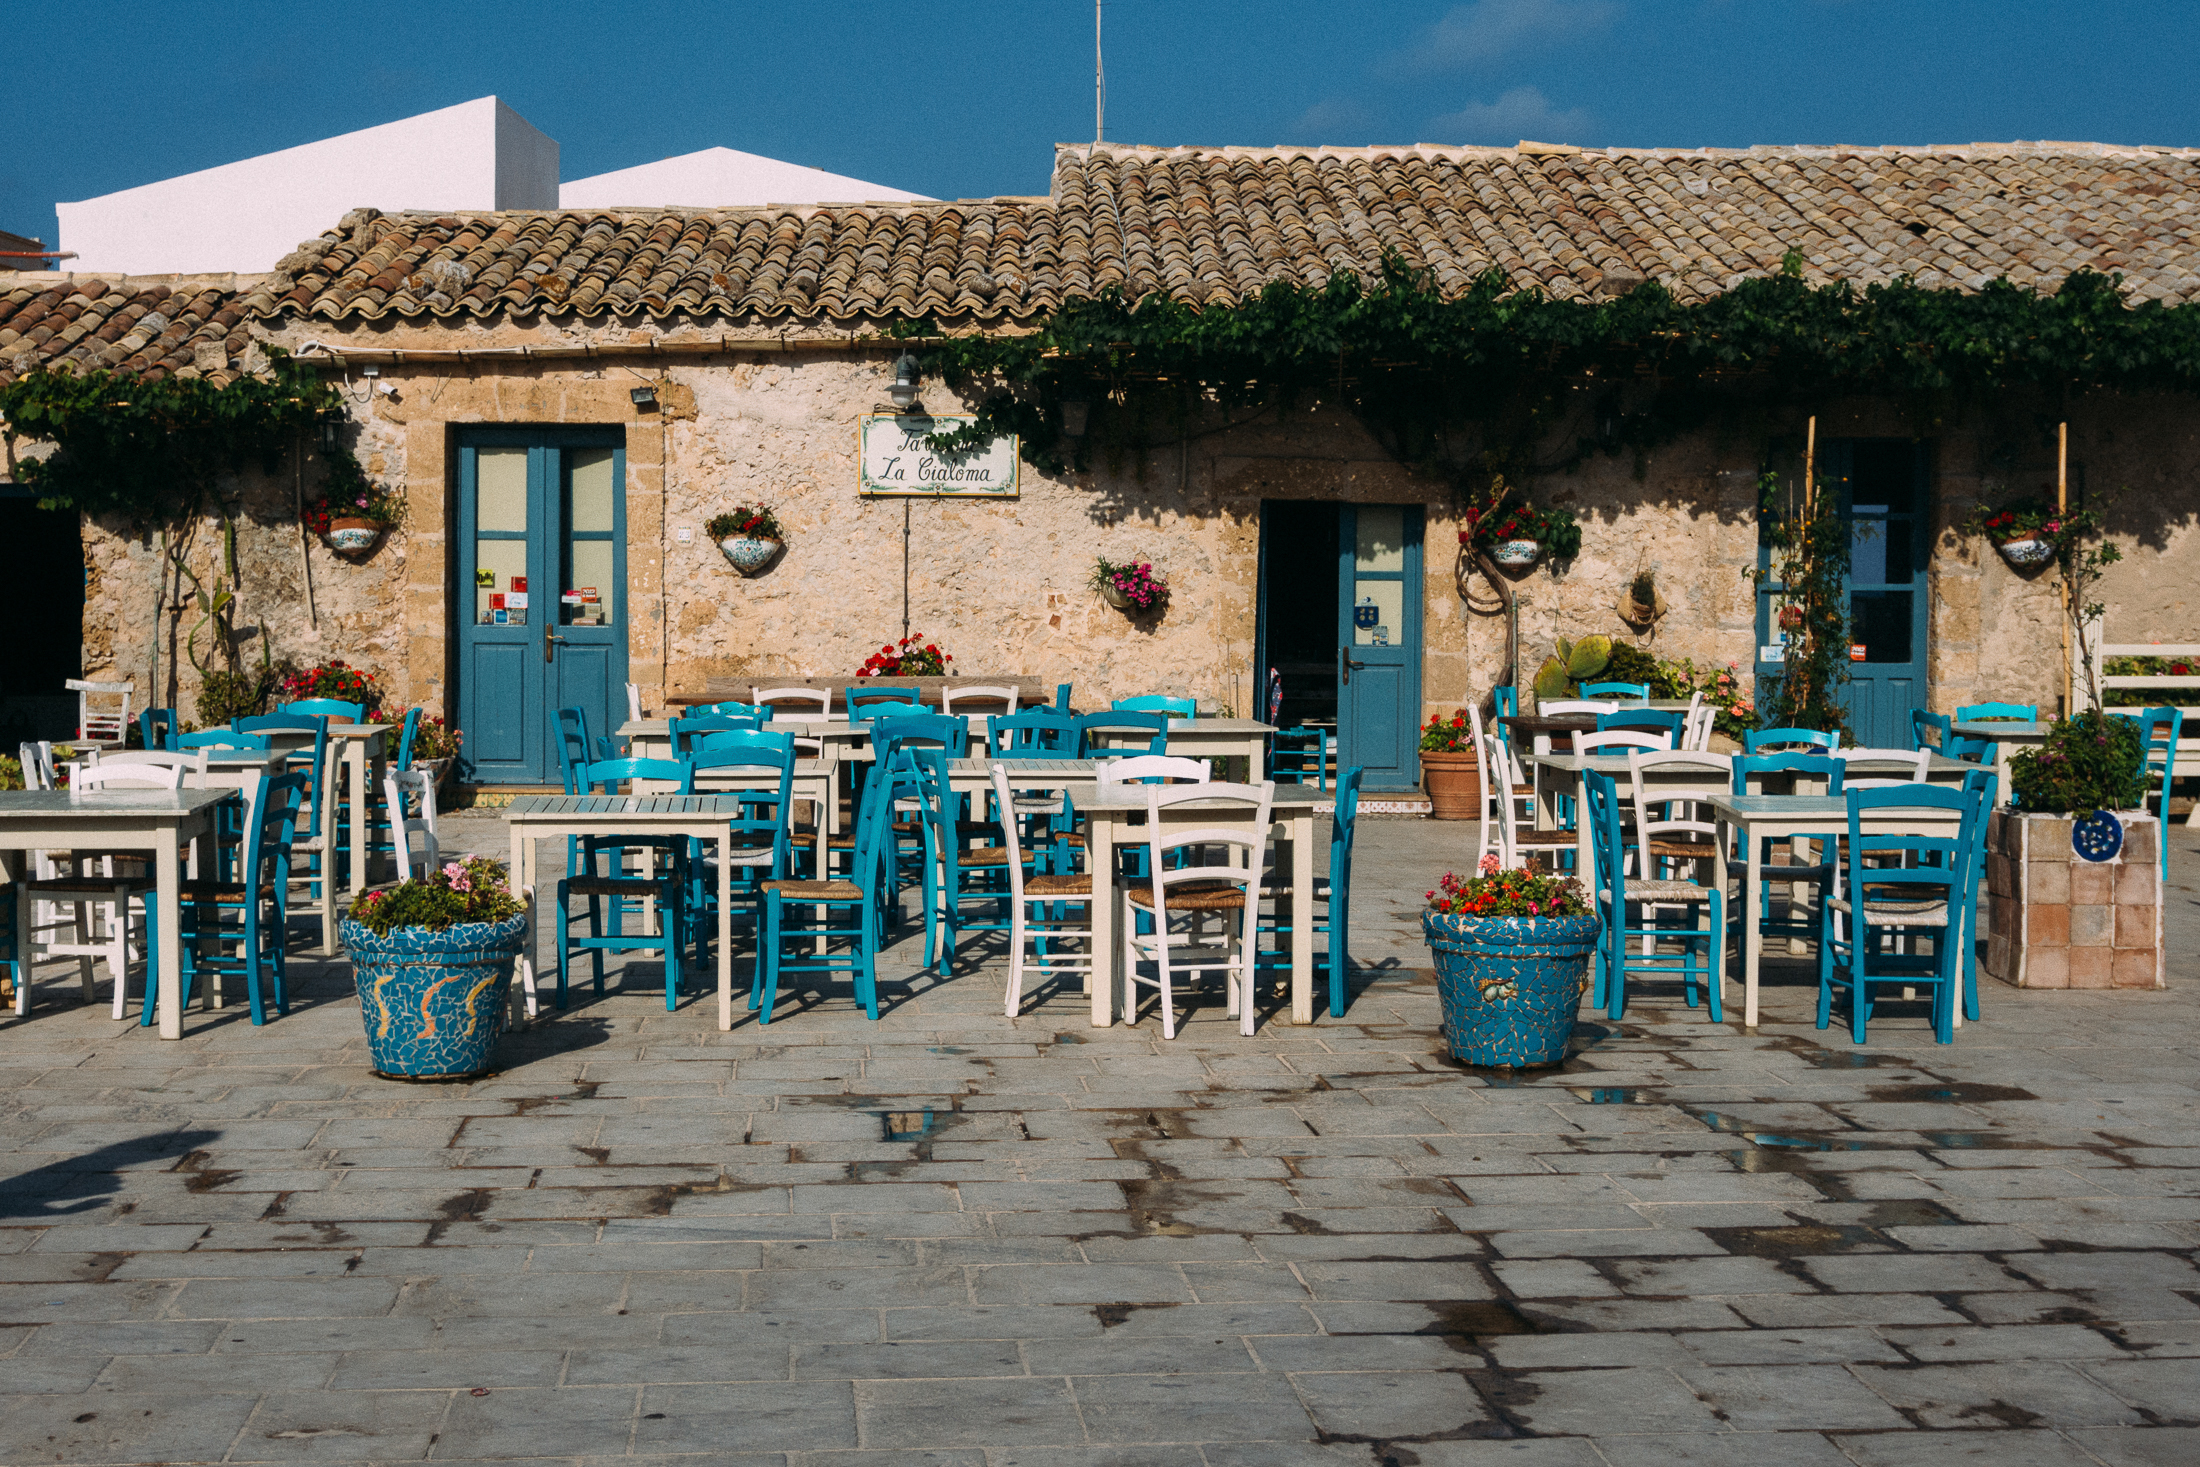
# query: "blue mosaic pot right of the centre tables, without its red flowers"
(1510, 984)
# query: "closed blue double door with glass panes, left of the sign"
(542, 518)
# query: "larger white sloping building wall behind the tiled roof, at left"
(245, 217)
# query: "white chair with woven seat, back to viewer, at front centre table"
(1198, 890)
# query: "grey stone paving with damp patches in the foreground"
(965, 1242)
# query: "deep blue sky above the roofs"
(965, 98)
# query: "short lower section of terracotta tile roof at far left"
(192, 327)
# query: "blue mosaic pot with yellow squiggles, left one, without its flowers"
(434, 1002)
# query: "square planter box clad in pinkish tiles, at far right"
(2069, 923)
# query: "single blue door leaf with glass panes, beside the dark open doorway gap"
(1380, 643)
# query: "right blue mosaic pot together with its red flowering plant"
(1512, 960)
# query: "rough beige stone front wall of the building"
(1004, 584)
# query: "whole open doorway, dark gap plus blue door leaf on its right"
(1341, 628)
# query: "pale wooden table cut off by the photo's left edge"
(159, 821)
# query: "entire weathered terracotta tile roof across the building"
(1211, 225)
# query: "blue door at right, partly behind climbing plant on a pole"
(1884, 489)
